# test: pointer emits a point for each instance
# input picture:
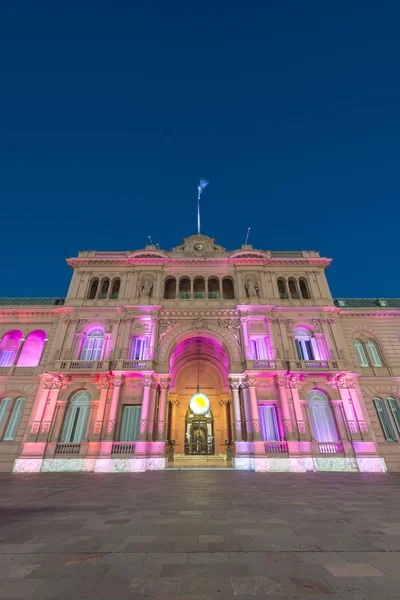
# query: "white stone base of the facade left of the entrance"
(88, 465)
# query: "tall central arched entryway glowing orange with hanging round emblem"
(203, 427)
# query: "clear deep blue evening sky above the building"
(112, 111)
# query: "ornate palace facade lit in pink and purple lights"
(201, 353)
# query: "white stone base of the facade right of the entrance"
(304, 464)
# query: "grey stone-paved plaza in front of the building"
(200, 535)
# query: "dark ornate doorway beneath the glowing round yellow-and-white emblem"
(199, 434)
